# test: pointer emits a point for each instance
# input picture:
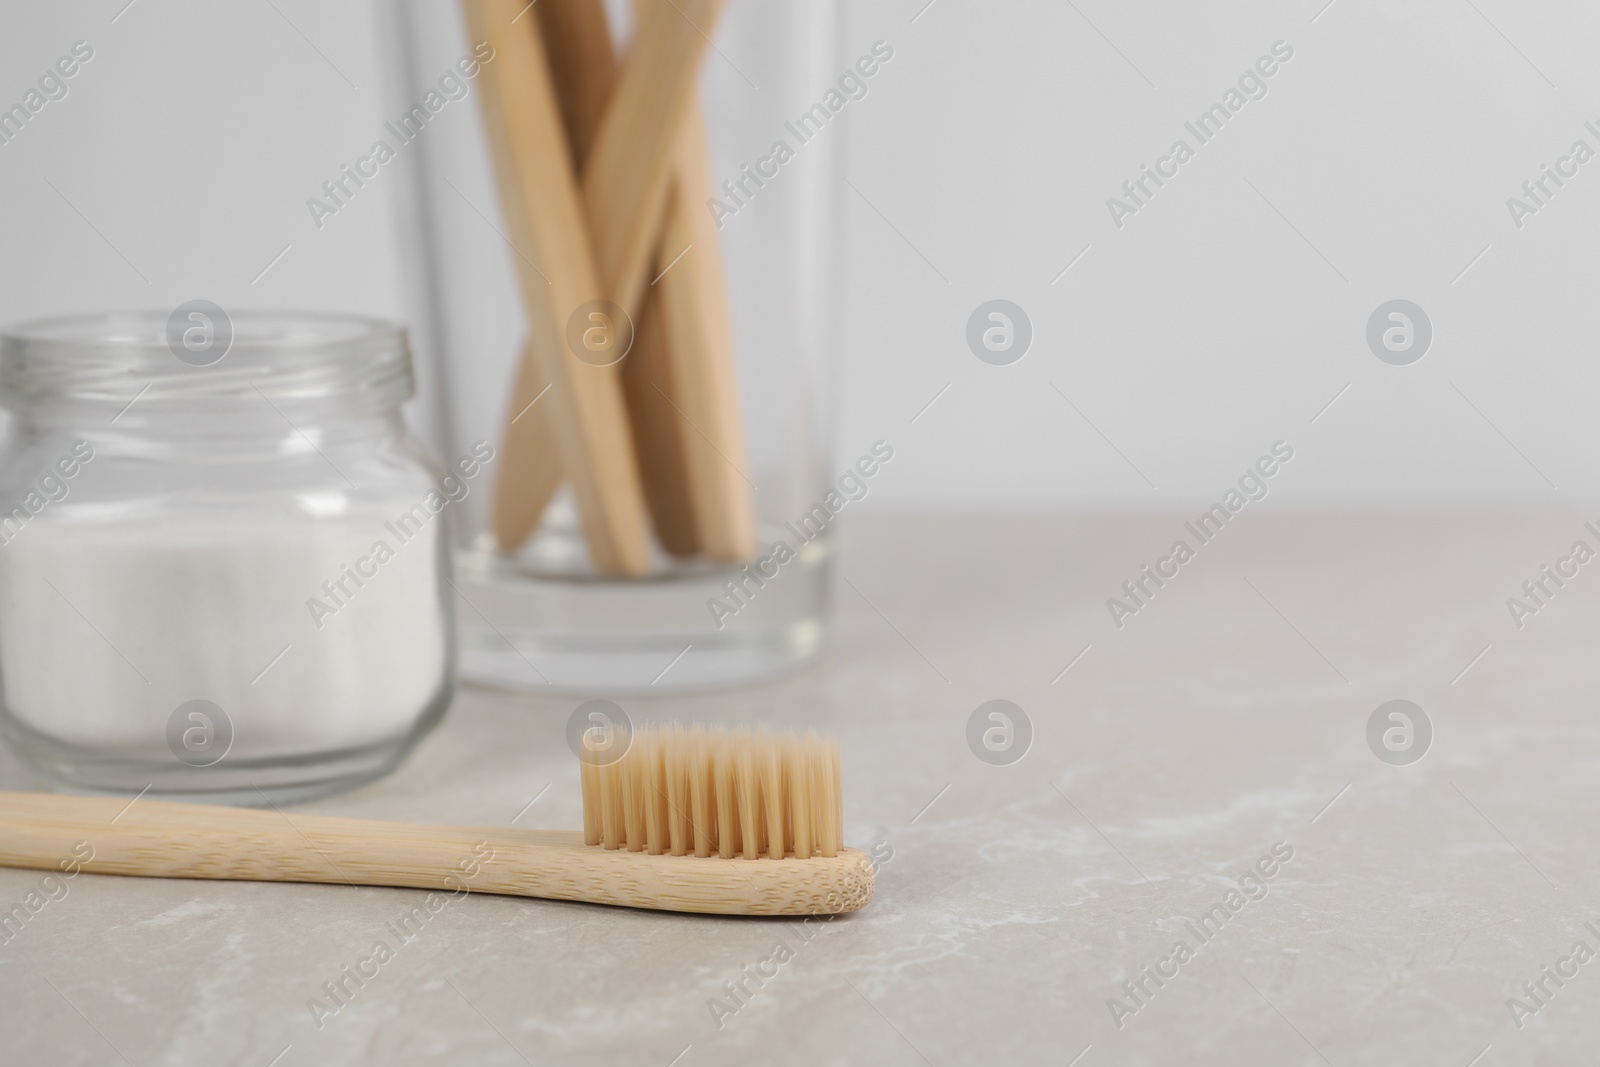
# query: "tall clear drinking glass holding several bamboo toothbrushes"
(543, 617)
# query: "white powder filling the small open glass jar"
(108, 626)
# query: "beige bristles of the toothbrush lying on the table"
(710, 791)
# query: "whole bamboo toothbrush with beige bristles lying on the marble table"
(695, 820)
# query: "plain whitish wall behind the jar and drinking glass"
(1220, 319)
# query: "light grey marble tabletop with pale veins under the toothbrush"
(1226, 717)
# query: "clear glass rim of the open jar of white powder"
(202, 353)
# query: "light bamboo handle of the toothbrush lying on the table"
(177, 841)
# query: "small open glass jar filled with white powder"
(223, 559)
